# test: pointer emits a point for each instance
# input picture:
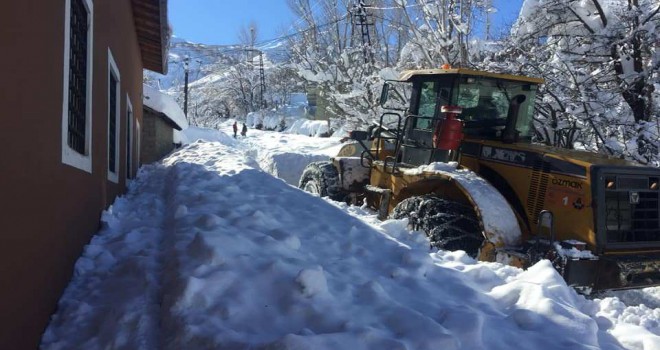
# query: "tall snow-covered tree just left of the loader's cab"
(328, 55)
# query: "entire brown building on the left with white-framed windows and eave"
(71, 107)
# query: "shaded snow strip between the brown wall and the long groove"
(113, 300)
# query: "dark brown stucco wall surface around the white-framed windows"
(49, 211)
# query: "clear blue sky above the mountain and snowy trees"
(219, 21)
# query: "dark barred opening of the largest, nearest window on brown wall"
(77, 76)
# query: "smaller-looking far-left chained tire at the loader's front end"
(322, 179)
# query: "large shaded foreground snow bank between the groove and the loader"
(265, 265)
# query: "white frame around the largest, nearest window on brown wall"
(70, 156)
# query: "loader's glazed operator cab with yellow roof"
(496, 107)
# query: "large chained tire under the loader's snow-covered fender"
(448, 224)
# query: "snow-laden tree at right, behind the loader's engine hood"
(600, 60)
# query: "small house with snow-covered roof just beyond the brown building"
(162, 119)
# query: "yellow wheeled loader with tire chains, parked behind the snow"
(458, 162)
